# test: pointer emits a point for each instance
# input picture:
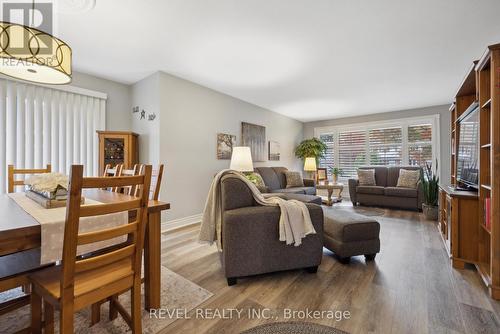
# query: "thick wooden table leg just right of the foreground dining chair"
(152, 262)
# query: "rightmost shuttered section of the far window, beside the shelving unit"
(420, 144)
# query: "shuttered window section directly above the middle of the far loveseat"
(385, 146)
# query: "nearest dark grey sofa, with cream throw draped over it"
(250, 236)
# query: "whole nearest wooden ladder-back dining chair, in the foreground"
(82, 281)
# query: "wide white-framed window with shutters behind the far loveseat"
(413, 141)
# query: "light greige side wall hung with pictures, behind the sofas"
(189, 118)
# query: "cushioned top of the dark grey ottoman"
(346, 226)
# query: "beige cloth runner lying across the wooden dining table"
(52, 227)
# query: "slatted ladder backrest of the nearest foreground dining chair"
(128, 254)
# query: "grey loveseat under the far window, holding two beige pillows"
(385, 193)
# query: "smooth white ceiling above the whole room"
(306, 59)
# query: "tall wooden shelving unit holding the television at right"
(481, 84)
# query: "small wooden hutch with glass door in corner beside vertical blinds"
(118, 147)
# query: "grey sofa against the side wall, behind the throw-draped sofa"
(275, 180)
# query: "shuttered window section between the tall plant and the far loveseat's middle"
(352, 152)
